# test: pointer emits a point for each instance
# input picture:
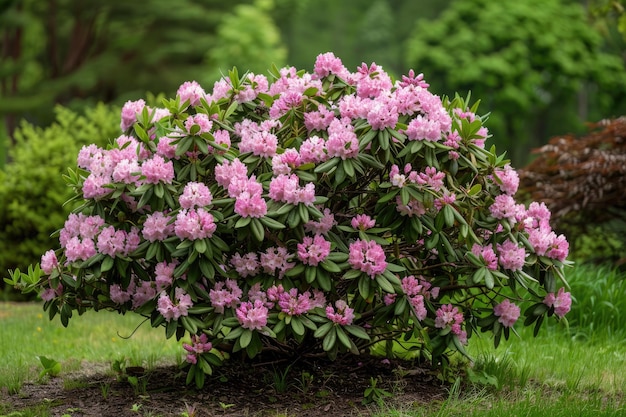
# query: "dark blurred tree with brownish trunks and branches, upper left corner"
(79, 53)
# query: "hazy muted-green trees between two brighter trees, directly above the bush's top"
(356, 30)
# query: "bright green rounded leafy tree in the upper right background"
(536, 65)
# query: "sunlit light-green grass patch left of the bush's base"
(27, 333)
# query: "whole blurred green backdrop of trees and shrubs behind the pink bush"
(540, 68)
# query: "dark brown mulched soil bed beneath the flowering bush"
(302, 389)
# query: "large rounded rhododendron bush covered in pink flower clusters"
(306, 214)
